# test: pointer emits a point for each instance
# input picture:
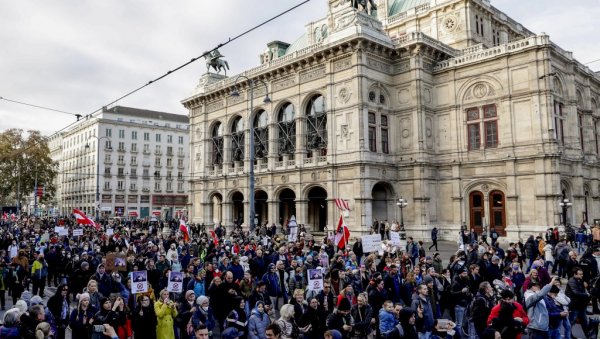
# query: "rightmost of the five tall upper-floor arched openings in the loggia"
(316, 129)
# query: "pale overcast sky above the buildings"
(77, 56)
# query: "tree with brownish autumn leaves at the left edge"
(23, 156)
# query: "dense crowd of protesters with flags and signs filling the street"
(255, 286)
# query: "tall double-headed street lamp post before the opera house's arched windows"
(266, 100)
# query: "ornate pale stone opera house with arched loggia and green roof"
(451, 105)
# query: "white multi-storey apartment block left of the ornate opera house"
(125, 162)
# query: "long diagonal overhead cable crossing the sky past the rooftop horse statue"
(230, 40)
